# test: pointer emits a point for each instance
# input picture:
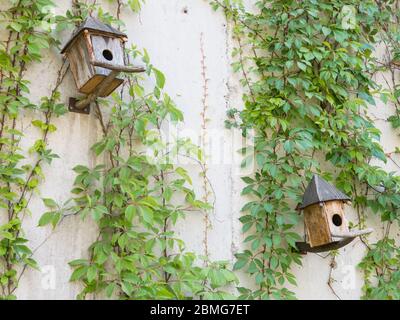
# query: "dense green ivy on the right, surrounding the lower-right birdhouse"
(307, 69)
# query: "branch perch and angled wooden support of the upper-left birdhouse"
(83, 106)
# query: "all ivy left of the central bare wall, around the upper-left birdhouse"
(135, 196)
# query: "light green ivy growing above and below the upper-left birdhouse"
(137, 195)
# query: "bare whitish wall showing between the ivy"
(178, 35)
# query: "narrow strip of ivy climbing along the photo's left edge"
(26, 27)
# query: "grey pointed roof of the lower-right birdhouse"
(318, 190)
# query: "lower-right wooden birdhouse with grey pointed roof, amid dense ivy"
(325, 222)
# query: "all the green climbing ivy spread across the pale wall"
(308, 70)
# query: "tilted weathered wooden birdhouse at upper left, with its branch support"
(96, 56)
